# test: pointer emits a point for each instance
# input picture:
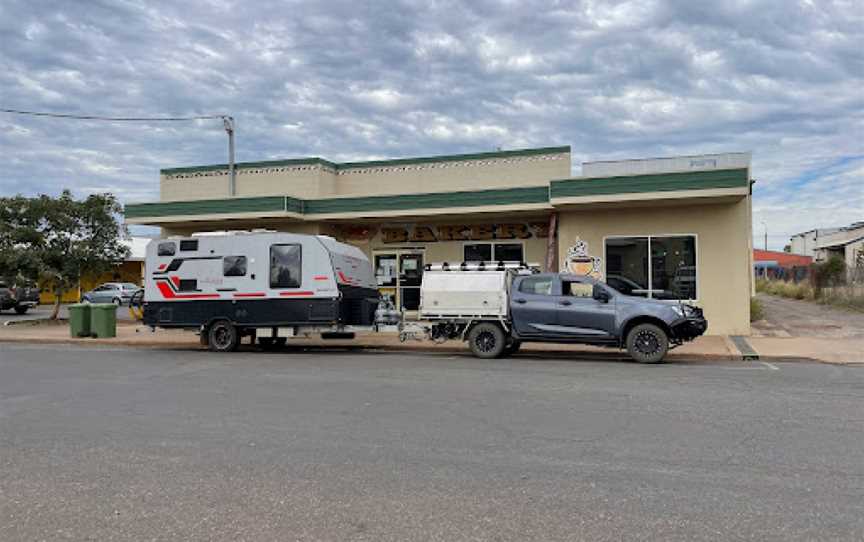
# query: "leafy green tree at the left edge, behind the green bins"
(60, 240)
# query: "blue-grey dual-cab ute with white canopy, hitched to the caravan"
(496, 309)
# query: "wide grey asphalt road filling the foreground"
(113, 444)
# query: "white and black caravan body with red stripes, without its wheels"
(256, 280)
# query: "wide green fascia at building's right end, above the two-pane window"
(663, 182)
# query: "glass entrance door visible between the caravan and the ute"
(399, 274)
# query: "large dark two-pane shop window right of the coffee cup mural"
(660, 267)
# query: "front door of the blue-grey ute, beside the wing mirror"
(580, 315)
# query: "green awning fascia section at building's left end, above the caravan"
(206, 207)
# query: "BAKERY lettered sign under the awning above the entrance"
(421, 233)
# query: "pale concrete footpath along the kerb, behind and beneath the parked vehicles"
(129, 334)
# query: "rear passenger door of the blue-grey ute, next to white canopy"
(533, 305)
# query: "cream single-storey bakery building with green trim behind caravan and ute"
(664, 228)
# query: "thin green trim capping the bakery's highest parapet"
(373, 163)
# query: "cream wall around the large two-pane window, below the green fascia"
(722, 250)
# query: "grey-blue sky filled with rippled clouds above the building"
(359, 80)
